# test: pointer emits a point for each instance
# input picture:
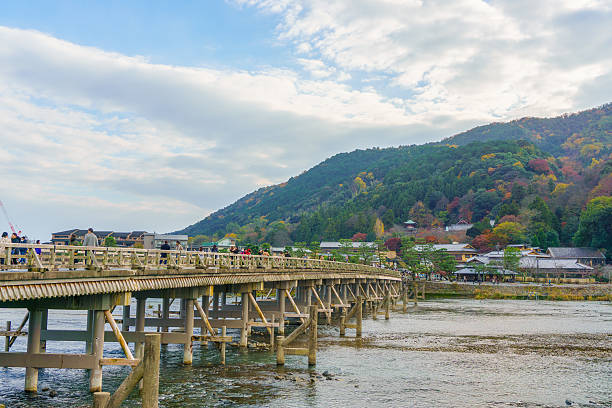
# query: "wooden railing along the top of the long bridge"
(44, 257)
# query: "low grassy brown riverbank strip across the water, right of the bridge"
(436, 289)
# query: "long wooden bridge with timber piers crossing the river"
(268, 293)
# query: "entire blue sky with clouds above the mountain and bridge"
(150, 115)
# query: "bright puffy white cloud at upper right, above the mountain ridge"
(467, 58)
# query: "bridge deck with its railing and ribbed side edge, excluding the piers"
(30, 272)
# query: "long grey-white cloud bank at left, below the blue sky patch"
(82, 128)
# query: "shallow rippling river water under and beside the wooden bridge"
(443, 353)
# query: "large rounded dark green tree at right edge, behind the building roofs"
(595, 228)
